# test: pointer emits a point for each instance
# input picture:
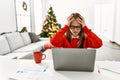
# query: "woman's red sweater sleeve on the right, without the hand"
(92, 40)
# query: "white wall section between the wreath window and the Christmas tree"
(38, 11)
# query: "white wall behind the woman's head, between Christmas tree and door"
(63, 8)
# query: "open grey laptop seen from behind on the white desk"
(73, 59)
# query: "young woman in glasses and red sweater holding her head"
(75, 34)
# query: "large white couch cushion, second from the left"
(15, 40)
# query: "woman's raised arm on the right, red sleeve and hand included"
(91, 40)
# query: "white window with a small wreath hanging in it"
(23, 14)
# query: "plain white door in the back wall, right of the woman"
(104, 20)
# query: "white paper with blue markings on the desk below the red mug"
(29, 71)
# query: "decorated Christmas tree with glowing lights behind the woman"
(50, 25)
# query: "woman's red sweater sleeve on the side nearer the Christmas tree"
(57, 39)
